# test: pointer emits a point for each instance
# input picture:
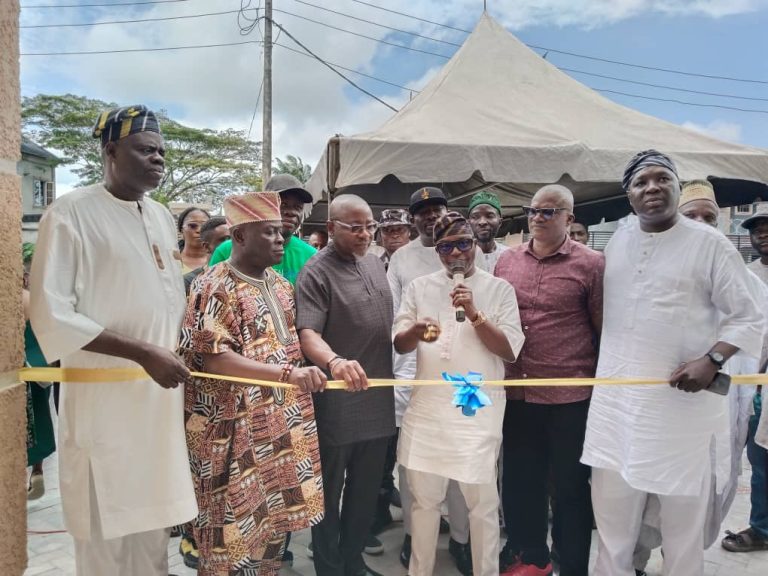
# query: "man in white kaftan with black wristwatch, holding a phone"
(677, 305)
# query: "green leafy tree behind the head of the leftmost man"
(201, 165)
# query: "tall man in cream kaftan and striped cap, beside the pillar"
(107, 292)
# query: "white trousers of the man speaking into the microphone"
(429, 491)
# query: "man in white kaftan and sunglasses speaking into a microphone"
(437, 442)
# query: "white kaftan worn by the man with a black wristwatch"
(669, 297)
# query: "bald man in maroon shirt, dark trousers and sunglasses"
(559, 287)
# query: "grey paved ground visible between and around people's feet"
(51, 552)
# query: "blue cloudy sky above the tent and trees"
(218, 87)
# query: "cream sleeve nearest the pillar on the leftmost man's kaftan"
(60, 329)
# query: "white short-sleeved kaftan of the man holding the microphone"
(435, 437)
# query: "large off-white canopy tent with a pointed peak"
(500, 115)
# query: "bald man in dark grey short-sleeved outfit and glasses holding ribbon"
(344, 318)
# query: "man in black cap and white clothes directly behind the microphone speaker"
(415, 259)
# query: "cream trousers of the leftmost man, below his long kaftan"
(142, 554)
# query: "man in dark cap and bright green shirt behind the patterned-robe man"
(293, 198)
